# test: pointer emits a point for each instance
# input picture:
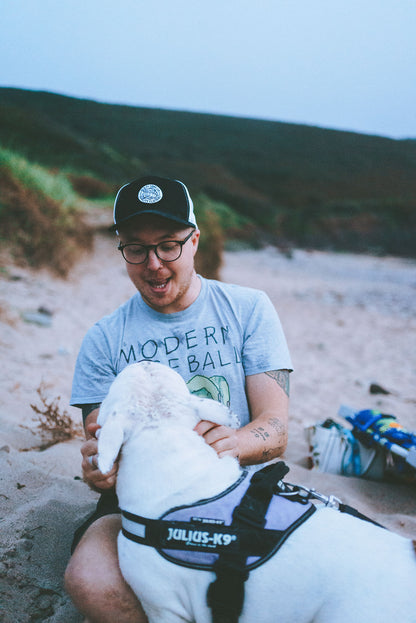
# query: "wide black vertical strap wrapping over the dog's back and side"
(225, 595)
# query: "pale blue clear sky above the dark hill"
(344, 64)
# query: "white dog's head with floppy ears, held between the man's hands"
(145, 395)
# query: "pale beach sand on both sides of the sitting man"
(349, 321)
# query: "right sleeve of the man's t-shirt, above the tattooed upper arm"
(265, 347)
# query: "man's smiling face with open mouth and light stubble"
(167, 287)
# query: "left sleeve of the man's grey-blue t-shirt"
(94, 369)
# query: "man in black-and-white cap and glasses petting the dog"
(226, 341)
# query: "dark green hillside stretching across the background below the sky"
(256, 181)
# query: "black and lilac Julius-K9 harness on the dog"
(230, 534)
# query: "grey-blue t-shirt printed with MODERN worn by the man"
(229, 332)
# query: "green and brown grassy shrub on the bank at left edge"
(39, 217)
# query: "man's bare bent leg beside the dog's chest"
(93, 578)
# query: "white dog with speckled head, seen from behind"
(334, 568)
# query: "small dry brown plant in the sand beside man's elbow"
(54, 426)
